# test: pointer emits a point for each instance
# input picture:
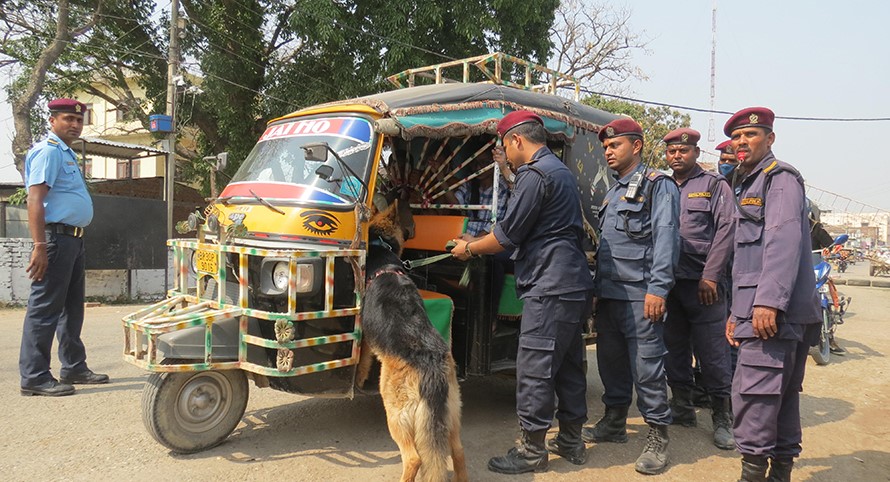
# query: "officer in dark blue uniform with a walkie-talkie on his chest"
(639, 246)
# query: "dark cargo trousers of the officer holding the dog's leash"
(550, 361)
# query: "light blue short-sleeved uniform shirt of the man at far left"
(52, 162)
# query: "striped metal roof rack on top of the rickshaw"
(492, 67)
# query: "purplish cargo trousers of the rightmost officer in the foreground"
(766, 395)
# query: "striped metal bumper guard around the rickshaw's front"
(183, 310)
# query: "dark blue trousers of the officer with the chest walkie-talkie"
(630, 353)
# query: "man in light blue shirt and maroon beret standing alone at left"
(59, 207)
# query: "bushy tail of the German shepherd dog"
(432, 427)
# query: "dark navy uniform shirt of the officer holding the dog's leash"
(543, 224)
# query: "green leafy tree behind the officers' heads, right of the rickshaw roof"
(656, 121)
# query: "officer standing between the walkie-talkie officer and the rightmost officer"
(696, 307)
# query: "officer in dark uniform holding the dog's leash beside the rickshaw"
(543, 224)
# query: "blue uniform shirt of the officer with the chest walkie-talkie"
(639, 240)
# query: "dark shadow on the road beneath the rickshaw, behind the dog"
(353, 433)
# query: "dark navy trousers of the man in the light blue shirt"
(55, 306)
